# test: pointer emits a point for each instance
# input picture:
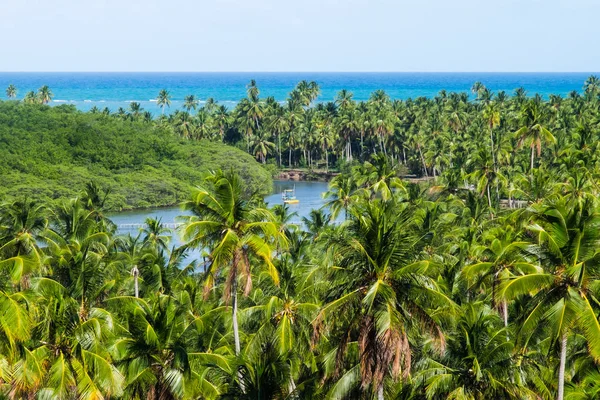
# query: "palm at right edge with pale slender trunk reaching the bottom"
(558, 292)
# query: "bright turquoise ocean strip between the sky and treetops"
(114, 90)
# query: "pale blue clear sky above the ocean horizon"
(300, 35)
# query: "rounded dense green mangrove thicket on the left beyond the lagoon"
(52, 152)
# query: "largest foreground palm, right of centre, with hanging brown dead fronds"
(381, 291)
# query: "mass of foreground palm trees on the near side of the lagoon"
(420, 293)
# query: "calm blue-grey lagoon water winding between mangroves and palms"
(309, 194)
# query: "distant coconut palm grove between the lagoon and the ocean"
(495, 138)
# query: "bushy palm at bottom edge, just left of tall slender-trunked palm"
(155, 349)
